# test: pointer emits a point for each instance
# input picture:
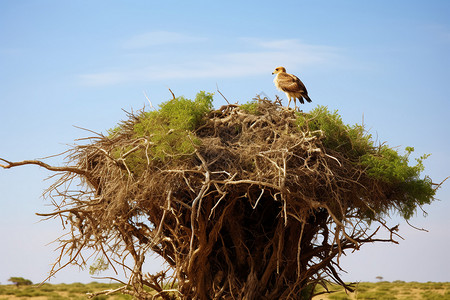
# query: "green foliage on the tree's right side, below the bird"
(381, 163)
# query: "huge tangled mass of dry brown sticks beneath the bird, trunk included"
(257, 210)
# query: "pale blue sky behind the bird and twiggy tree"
(66, 63)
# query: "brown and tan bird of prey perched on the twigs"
(291, 85)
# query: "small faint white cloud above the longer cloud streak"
(156, 38)
